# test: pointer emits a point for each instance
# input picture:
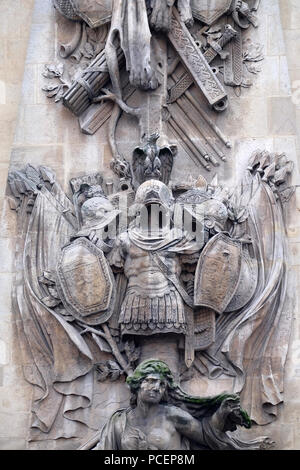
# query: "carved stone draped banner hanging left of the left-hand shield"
(55, 358)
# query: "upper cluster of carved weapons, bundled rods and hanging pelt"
(196, 46)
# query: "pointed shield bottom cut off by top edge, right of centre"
(209, 11)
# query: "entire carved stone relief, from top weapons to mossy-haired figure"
(186, 277)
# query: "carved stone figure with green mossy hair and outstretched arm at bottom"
(154, 421)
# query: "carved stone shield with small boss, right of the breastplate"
(218, 273)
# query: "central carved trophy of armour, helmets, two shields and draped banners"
(198, 295)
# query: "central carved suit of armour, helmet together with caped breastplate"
(153, 301)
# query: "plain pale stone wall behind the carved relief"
(265, 116)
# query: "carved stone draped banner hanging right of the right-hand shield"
(252, 343)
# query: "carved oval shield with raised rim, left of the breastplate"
(86, 282)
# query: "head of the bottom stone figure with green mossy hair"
(150, 382)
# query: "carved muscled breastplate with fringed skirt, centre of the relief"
(152, 303)
